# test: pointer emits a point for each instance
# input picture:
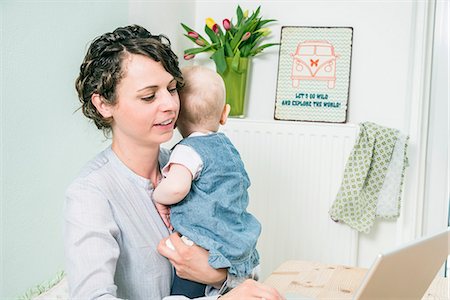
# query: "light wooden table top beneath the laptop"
(327, 281)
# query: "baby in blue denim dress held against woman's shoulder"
(205, 181)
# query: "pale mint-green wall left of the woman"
(44, 142)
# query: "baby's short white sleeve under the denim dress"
(186, 156)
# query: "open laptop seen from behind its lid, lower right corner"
(406, 273)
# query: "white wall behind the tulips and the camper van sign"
(377, 92)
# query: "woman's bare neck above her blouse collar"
(141, 160)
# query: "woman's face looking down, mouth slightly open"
(147, 103)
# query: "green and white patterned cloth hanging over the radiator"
(363, 183)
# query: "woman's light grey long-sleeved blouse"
(112, 230)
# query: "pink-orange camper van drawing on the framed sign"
(314, 60)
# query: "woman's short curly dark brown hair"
(102, 70)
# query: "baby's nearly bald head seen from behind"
(202, 101)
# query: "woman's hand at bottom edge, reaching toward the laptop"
(251, 289)
